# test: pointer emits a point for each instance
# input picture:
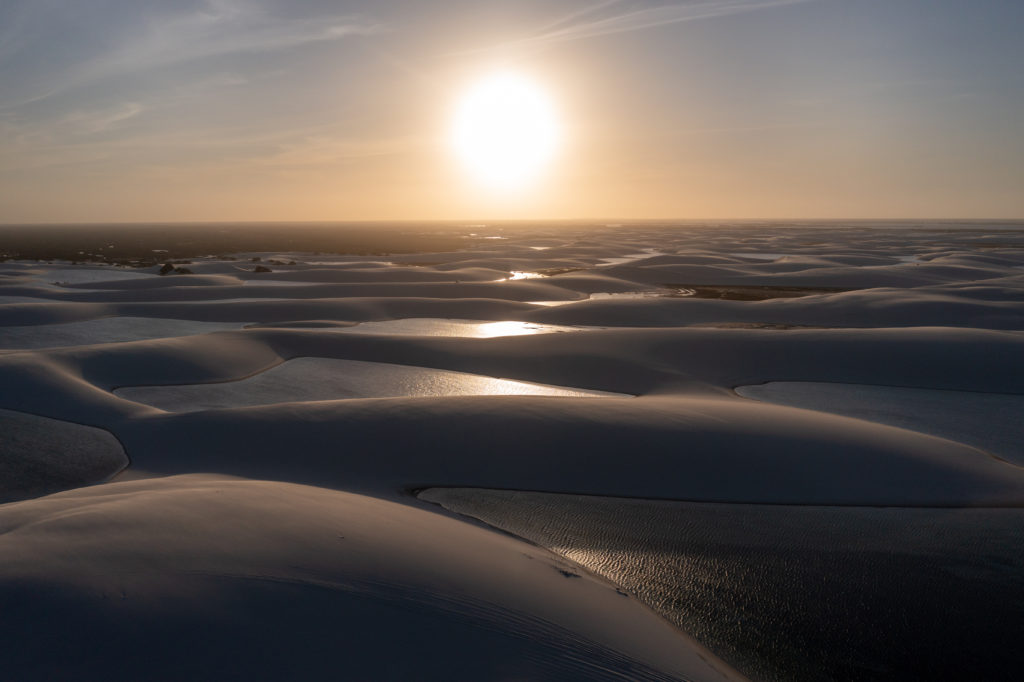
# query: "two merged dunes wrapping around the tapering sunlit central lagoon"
(687, 441)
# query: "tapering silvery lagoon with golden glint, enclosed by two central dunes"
(326, 379)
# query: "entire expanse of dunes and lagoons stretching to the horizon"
(534, 452)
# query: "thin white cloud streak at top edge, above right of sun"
(589, 27)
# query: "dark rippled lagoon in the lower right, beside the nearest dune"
(799, 593)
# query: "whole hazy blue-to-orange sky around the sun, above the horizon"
(130, 111)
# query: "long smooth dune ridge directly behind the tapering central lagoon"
(631, 361)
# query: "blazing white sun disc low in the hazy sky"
(505, 131)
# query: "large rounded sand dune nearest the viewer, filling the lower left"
(342, 582)
